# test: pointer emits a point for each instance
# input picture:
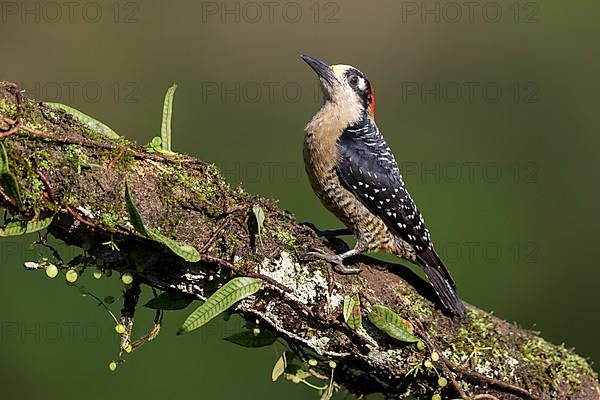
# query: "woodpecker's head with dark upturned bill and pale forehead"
(344, 85)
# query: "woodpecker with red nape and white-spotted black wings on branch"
(355, 175)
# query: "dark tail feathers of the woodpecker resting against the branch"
(442, 282)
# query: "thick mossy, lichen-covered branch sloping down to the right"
(68, 171)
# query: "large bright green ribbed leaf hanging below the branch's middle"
(227, 295)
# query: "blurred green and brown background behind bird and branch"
(491, 111)
